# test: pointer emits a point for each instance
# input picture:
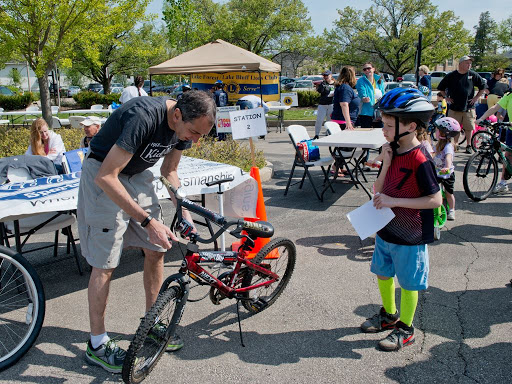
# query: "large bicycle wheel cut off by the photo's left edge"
(22, 307)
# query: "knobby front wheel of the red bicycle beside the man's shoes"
(149, 342)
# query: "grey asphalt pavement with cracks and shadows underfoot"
(311, 334)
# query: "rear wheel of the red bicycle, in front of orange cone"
(281, 255)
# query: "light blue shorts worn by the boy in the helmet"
(408, 262)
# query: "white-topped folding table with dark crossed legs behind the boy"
(363, 138)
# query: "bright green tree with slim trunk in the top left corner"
(45, 32)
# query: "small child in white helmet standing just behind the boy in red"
(447, 130)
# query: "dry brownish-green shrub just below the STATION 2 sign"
(229, 152)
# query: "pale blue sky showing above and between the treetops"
(324, 12)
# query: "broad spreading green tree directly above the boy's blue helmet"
(387, 34)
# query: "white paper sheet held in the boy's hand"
(367, 219)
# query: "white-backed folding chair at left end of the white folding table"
(298, 133)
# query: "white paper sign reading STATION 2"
(248, 123)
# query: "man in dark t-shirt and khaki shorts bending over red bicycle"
(117, 204)
